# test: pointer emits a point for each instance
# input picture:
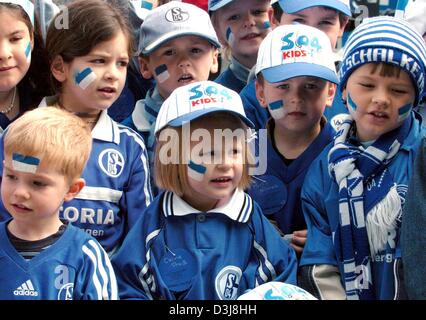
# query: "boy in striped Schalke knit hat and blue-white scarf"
(353, 194)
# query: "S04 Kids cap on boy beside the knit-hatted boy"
(296, 50)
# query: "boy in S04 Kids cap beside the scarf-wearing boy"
(296, 81)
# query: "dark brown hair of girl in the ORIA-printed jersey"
(90, 22)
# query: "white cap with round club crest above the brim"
(173, 20)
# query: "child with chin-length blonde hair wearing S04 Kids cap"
(203, 237)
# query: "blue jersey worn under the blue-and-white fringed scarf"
(320, 205)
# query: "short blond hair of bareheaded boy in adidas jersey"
(56, 137)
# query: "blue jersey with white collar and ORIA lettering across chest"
(117, 186)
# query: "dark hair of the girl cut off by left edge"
(38, 73)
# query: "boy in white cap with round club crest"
(177, 46)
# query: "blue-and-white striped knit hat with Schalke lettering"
(386, 40)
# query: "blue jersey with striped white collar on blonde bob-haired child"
(178, 252)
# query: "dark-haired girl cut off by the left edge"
(20, 42)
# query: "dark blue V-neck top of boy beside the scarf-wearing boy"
(278, 190)
